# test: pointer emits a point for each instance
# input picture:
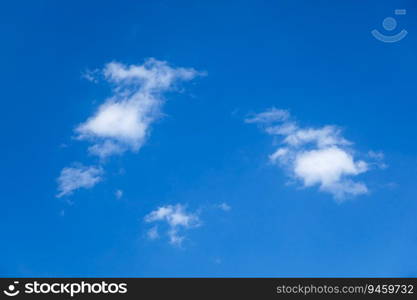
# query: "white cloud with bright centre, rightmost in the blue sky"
(316, 156)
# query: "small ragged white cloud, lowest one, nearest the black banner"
(177, 219)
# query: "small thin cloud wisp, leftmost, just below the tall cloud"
(79, 176)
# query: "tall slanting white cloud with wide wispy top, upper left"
(122, 122)
